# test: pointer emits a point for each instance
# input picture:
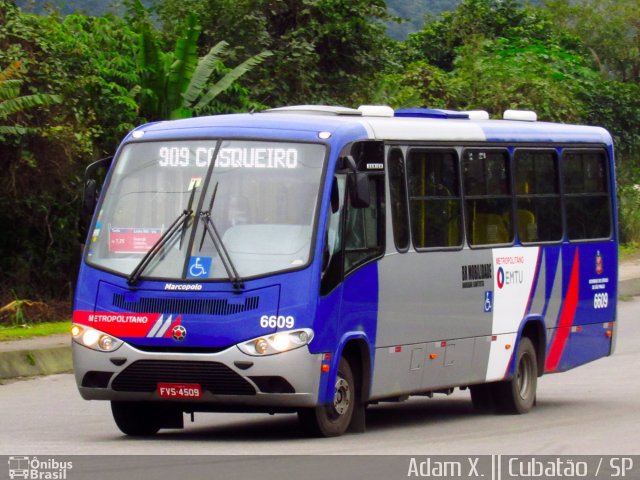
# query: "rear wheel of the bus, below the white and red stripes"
(518, 395)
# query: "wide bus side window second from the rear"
(538, 207)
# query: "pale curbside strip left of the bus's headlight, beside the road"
(35, 362)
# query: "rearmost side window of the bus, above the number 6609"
(586, 188)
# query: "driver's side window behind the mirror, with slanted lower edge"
(364, 227)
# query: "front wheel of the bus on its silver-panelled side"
(334, 419)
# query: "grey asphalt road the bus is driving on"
(594, 409)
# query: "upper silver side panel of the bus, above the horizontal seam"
(423, 296)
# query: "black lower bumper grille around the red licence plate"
(144, 376)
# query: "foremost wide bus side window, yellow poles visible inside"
(434, 198)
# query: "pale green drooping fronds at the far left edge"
(12, 103)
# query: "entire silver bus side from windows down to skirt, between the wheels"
(424, 305)
